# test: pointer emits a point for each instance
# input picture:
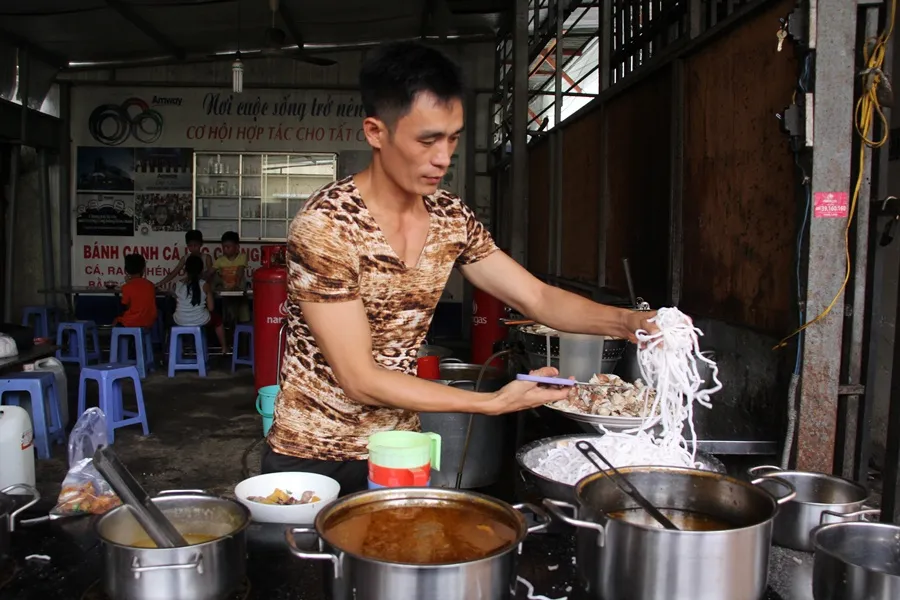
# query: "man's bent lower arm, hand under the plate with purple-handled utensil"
(342, 334)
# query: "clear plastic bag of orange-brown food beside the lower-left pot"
(84, 490)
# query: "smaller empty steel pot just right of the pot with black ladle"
(818, 495)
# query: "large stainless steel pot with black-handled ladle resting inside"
(617, 559)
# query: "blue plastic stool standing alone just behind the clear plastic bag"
(109, 378)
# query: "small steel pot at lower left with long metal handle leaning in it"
(205, 571)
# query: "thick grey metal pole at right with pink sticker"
(833, 109)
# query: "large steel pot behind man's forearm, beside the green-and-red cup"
(489, 433)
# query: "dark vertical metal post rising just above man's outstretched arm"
(519, 200)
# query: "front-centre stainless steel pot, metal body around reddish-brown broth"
(351, 576)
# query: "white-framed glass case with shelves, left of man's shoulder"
(255, 194)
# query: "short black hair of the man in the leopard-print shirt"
(395, 73)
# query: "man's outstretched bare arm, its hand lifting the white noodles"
(505, 279)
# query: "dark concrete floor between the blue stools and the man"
(200, 429)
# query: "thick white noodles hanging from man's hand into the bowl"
(668, 362)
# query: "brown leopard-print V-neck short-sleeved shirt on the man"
(337, 253)
